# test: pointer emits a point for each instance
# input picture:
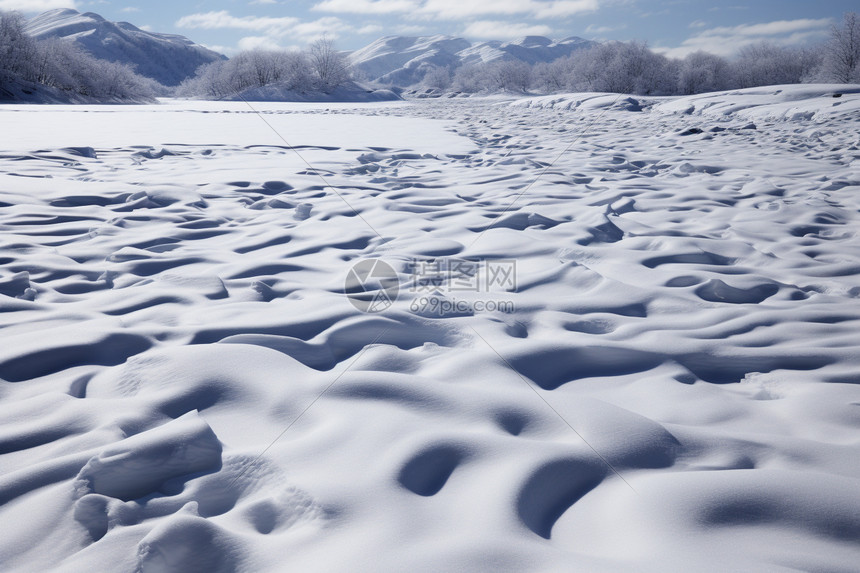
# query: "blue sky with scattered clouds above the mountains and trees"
(676, 27)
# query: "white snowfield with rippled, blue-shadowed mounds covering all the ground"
(185, 386)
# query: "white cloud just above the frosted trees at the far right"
(727, 40)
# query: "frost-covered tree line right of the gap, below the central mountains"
(631, 67)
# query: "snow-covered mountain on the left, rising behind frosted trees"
(166, 58)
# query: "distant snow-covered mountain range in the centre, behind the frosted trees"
(403, 61)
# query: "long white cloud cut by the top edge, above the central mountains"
(458, 9)
